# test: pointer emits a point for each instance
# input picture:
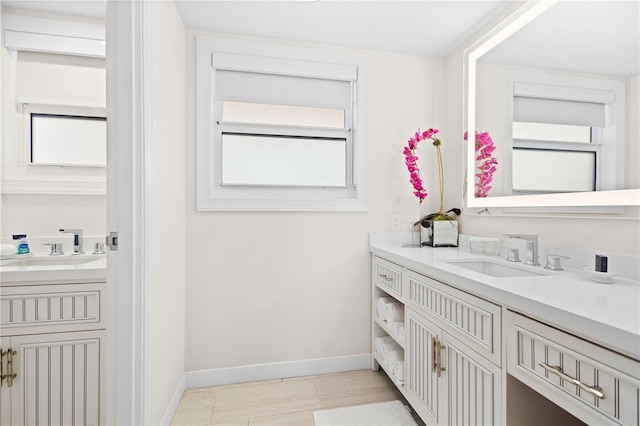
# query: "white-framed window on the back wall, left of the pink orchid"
(280, 128)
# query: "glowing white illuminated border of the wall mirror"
(514, 22)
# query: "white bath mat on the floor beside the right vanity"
(392, 413)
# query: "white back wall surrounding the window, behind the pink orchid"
(278, 287)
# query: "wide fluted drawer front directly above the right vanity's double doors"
(474, 321)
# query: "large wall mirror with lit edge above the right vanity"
(551, 66)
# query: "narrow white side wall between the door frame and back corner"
(167, 227)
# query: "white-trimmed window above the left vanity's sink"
(50, 77)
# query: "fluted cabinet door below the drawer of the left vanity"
(59, 379)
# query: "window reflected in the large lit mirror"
(565, 134)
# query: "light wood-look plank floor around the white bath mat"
(282, 402)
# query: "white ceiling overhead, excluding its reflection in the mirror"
(431, 27)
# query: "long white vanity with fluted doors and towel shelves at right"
(472, 338)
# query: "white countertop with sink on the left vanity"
(14, 274)
